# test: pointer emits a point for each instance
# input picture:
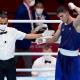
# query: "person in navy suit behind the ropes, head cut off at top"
(23, 13)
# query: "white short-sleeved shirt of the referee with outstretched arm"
(7, 42)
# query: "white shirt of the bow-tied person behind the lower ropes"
(40, 64)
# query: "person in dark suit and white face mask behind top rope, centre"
(39, 13)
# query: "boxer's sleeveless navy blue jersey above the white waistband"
(70, 38)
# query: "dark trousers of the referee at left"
(8, 69)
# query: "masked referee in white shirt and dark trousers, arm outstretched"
(8, 37)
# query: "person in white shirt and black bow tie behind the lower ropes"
(46, 61)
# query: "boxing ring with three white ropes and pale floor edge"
(34, 54)
